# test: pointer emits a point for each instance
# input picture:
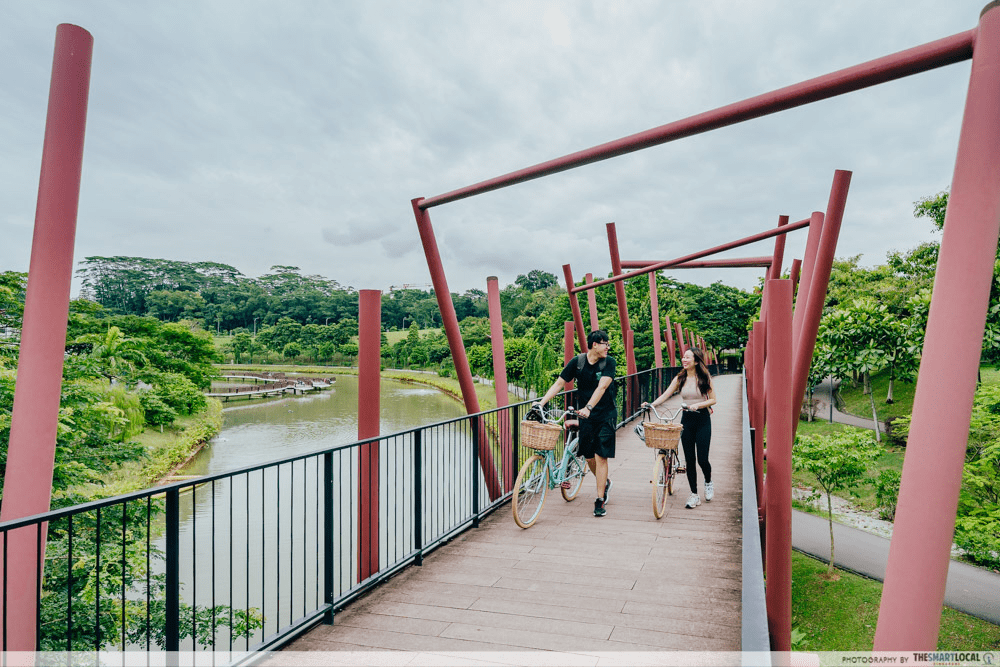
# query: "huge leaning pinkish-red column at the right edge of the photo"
(932, 470)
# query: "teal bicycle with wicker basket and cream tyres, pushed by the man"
(543, 432)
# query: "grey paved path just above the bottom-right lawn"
(969, 589)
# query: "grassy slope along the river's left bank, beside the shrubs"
(165, 451)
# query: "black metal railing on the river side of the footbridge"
(248, 559)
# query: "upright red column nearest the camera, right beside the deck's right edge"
(778, 373)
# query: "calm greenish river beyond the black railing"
(255, 540)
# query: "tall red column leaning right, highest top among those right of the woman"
(803, 348)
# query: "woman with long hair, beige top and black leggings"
(694, 383)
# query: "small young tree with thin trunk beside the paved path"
(838, 462)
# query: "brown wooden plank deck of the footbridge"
(573, 589)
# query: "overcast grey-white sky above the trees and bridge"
(296, 133)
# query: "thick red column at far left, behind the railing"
(31, 449)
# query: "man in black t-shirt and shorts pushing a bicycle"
(594, 372)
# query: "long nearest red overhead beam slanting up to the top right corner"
(932, 55)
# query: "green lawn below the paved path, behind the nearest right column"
(841, 615)
